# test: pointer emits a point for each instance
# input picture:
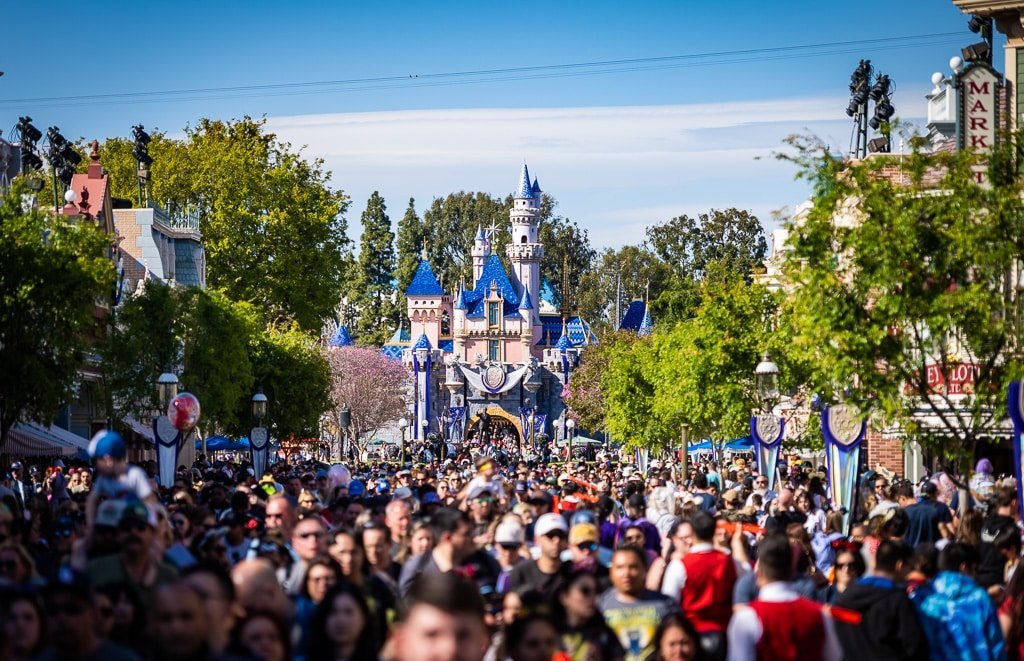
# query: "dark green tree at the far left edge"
(53, 273)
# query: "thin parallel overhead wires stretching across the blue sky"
(571, 70)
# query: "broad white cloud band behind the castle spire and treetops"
(616, 170)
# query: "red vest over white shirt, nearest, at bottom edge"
(791, 631)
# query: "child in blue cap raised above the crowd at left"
(115, 477)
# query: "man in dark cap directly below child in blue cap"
(135, 565)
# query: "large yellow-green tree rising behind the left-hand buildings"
(273, 230)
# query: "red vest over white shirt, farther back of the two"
(707, 598)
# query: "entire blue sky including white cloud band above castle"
(620, 147)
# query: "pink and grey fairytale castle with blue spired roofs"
(492, 362)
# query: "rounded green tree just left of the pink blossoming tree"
(295, 377)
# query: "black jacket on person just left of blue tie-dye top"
(888, 627)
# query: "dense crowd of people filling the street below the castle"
(472, 559)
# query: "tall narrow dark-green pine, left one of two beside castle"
(375, 295)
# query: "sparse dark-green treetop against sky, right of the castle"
(733, 239)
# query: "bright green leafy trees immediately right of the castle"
(698, 372)
